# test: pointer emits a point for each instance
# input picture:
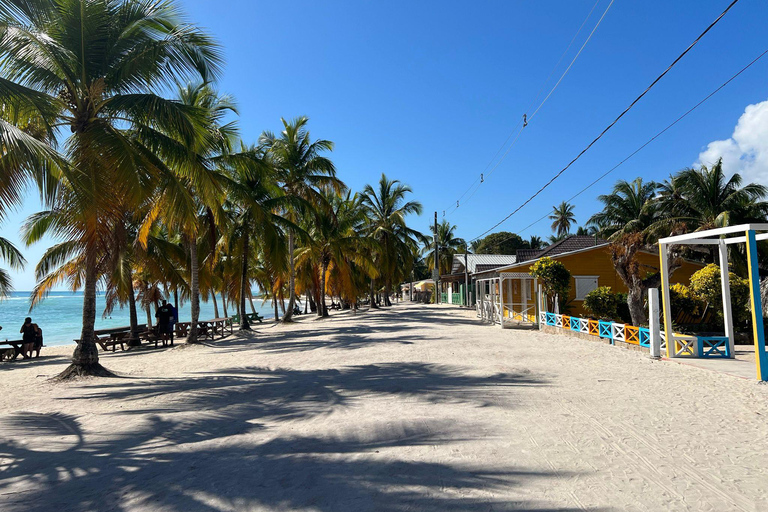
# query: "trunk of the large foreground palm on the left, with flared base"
(85, 360)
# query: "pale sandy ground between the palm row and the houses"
(414, 408)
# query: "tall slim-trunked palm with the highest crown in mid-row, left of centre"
(303, 172)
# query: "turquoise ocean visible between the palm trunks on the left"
(60, 315)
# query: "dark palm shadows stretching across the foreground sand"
(196, 451)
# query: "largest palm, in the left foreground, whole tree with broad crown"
(97, 68)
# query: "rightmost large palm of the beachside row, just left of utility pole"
(387, 209)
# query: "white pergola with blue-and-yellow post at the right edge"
(679, 345)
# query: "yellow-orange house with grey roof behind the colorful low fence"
(587, 258)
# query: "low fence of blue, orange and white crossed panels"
(711, 346)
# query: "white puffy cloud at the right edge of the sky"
(746, 152)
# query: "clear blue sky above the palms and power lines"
(427, 92)
